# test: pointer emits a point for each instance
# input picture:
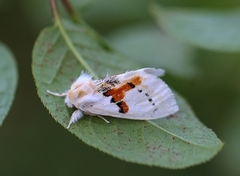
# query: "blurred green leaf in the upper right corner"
(213, 30)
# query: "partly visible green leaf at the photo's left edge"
(8, 81)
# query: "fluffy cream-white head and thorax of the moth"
(79, 90)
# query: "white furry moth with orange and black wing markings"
(135, 95)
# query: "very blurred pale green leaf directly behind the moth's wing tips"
(160, 50)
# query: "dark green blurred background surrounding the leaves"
(32, 143)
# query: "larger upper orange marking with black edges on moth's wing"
(119, 93)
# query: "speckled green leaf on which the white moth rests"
(177, 141)
